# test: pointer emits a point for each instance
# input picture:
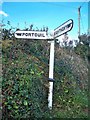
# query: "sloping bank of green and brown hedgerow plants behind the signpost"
(25, 65)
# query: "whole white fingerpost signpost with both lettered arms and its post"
(42, 35)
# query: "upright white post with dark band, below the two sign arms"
(51, 69)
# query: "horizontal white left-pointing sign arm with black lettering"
(31, 34)
